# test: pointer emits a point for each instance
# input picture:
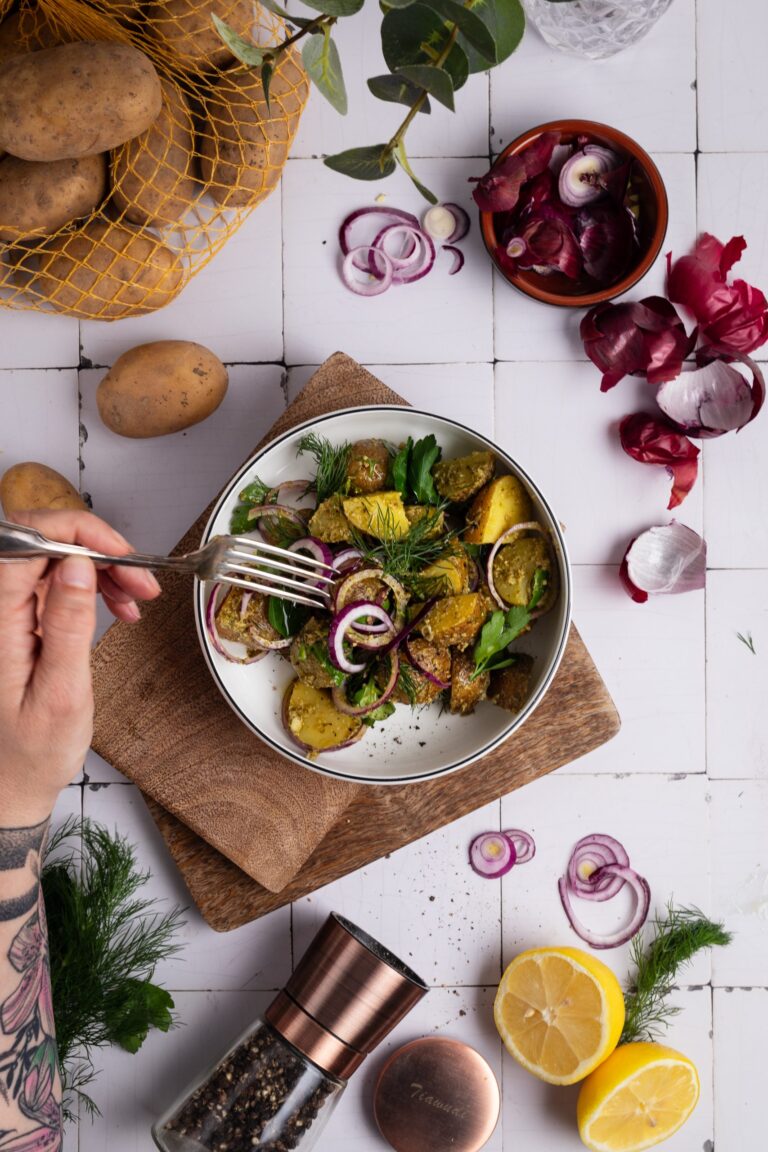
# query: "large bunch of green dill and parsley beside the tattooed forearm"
(105, 943)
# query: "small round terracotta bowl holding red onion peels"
(655, 213)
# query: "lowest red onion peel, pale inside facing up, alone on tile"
(666, 559)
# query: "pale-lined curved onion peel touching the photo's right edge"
(714, 399)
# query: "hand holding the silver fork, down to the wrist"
(48, 618)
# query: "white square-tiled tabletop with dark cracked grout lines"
(686, 782)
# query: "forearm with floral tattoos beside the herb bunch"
(31, 1086)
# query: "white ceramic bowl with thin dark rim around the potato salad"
(412, 745)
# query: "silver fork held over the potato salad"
(238, 560)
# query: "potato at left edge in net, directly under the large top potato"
(44, 198)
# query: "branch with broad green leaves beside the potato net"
(430, 47)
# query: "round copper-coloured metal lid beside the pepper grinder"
(437, 1095)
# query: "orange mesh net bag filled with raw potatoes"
(105, 232)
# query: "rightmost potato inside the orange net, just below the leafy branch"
(247, 143)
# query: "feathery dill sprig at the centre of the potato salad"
(406, 557)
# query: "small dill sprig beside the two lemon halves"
(680, 935)
